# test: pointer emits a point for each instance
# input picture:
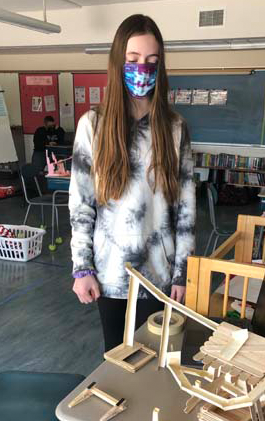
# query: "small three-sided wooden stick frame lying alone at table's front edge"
(118, 406)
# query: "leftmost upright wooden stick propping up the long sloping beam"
(130, 317)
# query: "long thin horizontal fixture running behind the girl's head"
(195, 45)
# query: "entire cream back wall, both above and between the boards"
(177, 19)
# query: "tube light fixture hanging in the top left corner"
(28, 23)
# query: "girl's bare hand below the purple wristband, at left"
(87, 289)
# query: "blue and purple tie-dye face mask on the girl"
(140, 79)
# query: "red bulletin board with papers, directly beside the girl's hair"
(89, 91)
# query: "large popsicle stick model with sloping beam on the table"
(228, 369)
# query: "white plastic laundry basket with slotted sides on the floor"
(26, 246)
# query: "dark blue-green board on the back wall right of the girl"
(240, 121)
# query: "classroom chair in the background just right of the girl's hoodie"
(216, 231)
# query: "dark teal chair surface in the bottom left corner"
(26, 396)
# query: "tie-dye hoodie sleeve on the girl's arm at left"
(82, 203)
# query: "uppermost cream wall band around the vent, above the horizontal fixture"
(177, 19)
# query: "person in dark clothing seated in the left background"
(47, 135)
